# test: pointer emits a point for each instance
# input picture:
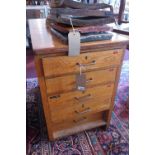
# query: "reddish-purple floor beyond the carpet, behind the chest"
(30, 67)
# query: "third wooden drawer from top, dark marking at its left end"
(91, 95)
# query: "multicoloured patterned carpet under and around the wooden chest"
(113, 141)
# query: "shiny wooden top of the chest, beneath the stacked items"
(43, 42)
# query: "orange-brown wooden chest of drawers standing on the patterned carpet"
(68, 110)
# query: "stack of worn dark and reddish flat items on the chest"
(91, 20)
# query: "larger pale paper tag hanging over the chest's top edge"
(74, 43)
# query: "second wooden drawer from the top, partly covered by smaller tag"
(68, 82)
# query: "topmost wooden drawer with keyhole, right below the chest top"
(60, 65)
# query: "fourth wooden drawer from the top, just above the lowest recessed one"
(77, 111)
